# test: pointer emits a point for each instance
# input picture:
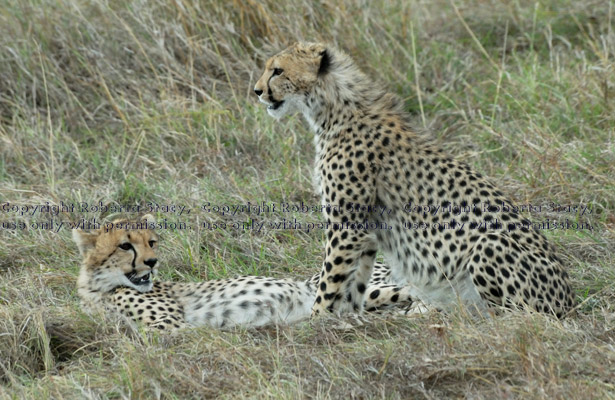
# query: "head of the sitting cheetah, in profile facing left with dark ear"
(289, 76)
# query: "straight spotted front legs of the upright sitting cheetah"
(347, 185)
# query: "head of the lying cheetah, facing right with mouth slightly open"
(119, 254)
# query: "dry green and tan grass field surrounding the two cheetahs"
(150, 102)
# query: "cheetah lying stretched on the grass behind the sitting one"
(119, 264)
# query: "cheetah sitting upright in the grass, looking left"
(444, 229)
